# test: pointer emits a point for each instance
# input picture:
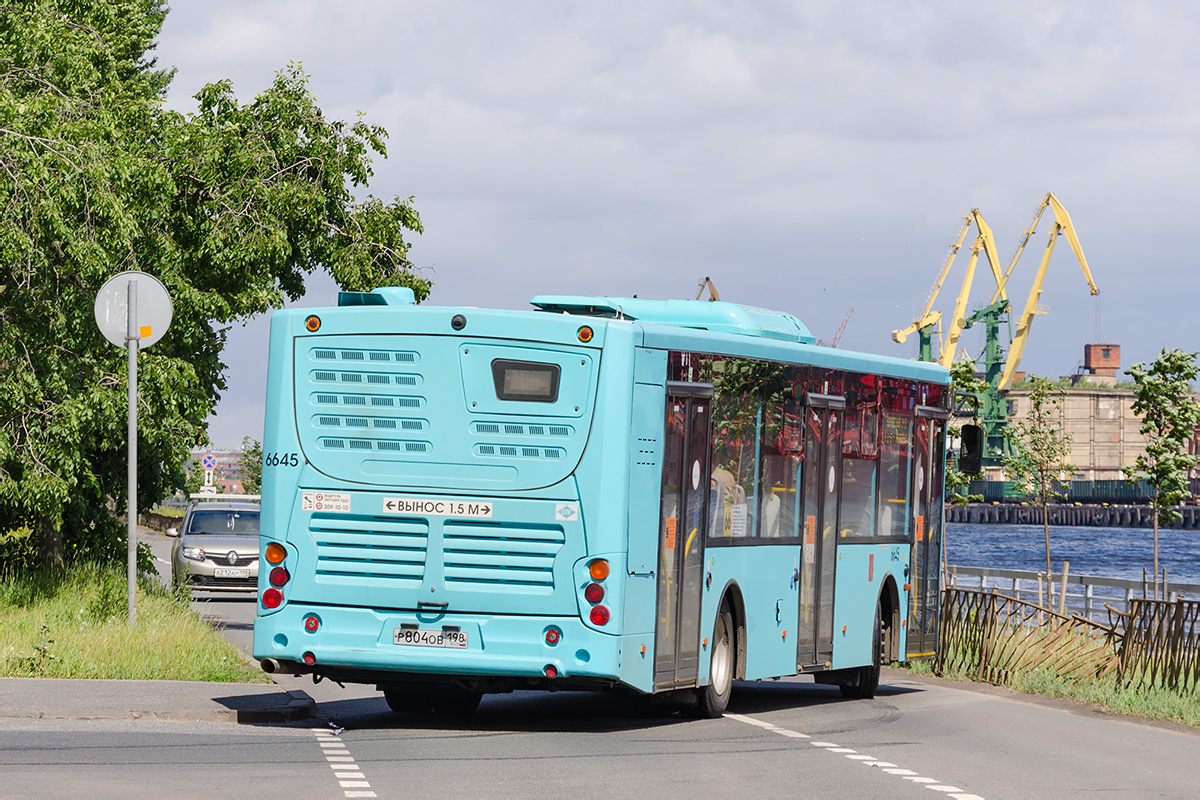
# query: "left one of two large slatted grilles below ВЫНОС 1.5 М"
(368, 548)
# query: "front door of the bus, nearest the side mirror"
(926, 524)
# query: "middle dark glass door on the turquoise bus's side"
(823, 488)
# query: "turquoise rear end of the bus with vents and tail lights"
(423, 525)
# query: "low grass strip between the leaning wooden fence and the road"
(1151, 703)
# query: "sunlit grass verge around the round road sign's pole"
(76, 627)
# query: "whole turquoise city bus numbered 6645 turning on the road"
(599, 494)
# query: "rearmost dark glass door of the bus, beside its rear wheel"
(683, 520)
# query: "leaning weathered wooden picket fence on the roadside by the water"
(998, 639)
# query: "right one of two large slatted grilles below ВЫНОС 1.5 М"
(483, 556)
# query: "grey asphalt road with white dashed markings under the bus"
(916, 739)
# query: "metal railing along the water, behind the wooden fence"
(1088, 596)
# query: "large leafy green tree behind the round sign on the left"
(231, 207)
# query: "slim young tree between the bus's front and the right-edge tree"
(1039, 452)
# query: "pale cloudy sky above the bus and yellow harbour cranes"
(813, 158)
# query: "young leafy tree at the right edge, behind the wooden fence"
(1169, 420)
